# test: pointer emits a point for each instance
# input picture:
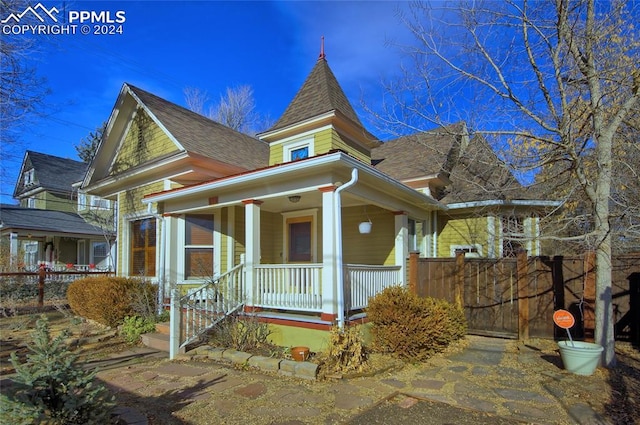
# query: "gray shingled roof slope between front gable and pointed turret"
(200, 135)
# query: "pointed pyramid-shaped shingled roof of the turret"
(320, 93)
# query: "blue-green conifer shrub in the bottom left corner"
(52, 388)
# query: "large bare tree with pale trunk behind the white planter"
(551, 83)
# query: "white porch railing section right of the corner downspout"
(362, 281)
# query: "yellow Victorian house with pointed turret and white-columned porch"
(284, 214)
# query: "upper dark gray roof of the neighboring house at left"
(52, 173)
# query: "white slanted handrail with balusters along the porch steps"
(204, 307)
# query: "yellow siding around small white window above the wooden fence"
(463, 231)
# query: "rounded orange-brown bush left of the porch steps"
(108, 299)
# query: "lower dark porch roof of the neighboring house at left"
(18, 218)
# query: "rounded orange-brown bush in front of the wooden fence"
(413, 328)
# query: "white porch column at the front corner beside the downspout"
(329, 266)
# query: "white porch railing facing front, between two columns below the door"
(288, 286)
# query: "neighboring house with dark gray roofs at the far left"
(47, 228)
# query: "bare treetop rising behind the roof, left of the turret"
(236, 108)
